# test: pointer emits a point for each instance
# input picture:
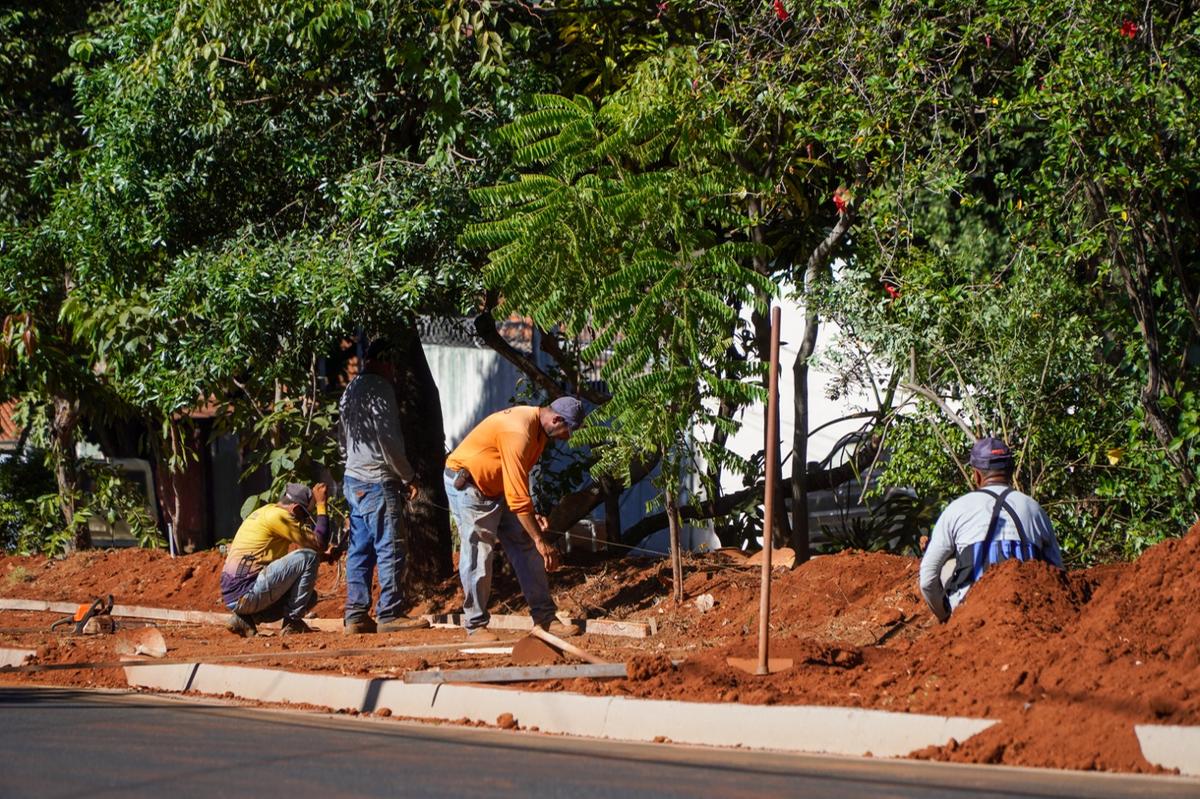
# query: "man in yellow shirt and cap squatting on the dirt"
(265, 582)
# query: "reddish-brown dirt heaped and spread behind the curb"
(1069, 662)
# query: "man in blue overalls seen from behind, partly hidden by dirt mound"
(993, 524)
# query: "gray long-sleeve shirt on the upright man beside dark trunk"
(369, 431)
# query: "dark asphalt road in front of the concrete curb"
(67, 743)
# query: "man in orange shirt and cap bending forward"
(488, 485)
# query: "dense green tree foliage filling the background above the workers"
(202, 200)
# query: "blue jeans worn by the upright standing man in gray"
(377, 540)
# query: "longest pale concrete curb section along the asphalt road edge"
(839, 731)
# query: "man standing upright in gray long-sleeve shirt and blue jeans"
(379, 482)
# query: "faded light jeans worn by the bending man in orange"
(483, 522)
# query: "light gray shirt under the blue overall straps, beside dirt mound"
(965, 522)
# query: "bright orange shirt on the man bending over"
(500, 454)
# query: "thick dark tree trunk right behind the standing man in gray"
(421, 419)
